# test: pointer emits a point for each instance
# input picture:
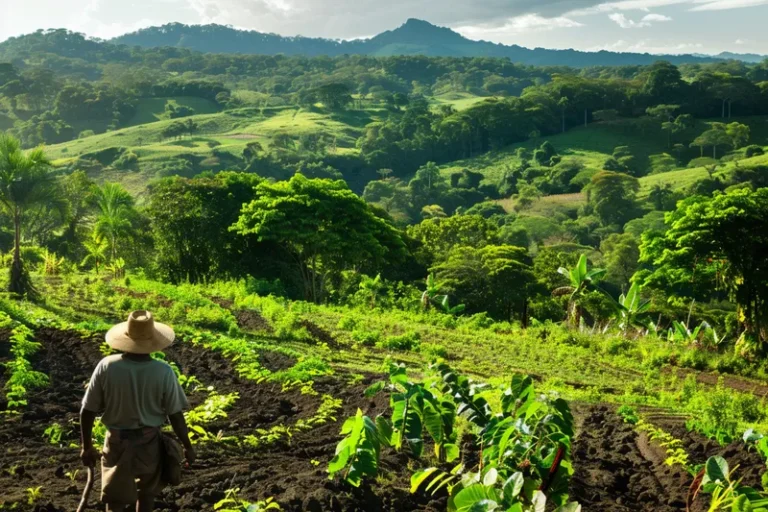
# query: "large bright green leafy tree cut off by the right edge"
(716, 244)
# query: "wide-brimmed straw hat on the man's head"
(140, 334)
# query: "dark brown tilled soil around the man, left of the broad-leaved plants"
(291, 472)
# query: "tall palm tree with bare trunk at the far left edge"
(25, 182)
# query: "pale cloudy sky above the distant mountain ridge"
(654, 26)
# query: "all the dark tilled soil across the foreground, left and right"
(616, 468)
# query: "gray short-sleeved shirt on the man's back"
(133, 394)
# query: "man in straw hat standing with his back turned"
(135, 394)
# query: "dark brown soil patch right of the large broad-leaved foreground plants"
(618, 469)
